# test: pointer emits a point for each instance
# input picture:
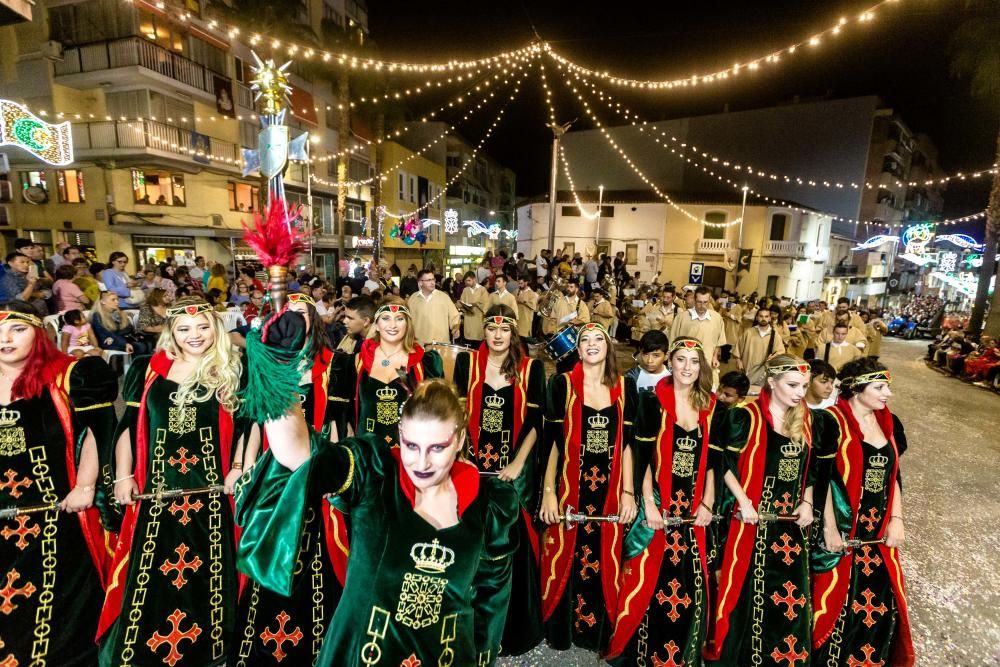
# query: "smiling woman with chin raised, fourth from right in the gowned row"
(589, 472)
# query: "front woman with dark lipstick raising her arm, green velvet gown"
(428, 579)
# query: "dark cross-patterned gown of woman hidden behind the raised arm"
(276, 629)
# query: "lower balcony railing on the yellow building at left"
(149, 134)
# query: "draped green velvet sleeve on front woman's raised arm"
(272, 503)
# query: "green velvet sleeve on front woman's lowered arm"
(492, 580)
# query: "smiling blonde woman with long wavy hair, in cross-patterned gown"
(174, 568)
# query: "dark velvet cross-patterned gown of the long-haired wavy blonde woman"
(180, 590)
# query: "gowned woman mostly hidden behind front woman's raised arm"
(264, 616)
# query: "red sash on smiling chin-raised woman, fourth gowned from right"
(560, 543)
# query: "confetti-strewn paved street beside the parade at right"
(951, 506)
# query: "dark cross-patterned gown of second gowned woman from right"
(772, 617)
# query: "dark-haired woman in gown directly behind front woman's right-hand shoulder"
(505, 395)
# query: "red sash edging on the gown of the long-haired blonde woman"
(159, 366)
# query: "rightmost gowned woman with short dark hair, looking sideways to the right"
(857, 565)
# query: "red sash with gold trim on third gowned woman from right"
(639, 580)
